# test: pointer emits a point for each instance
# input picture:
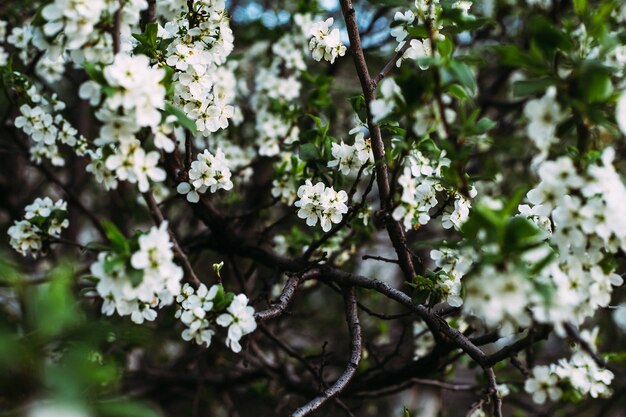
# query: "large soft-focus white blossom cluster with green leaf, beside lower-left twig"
(135, 281)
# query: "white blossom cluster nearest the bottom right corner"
(580, 376)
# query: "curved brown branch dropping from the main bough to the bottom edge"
(355, 357)
